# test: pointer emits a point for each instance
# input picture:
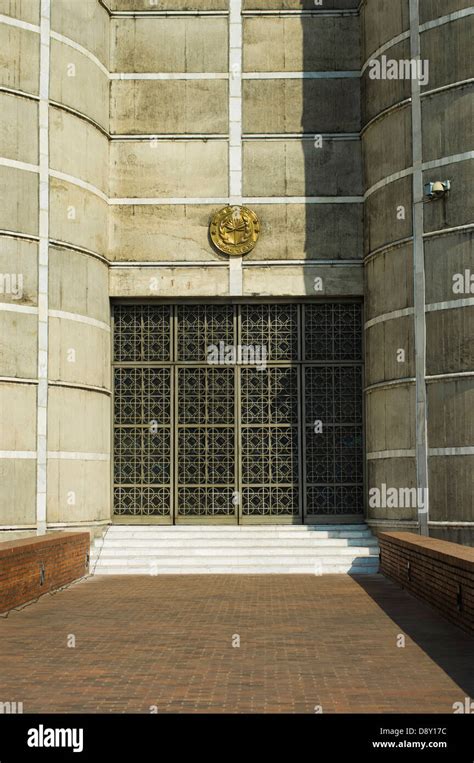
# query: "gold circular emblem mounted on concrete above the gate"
(234, 230)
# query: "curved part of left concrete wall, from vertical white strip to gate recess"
(79, 324)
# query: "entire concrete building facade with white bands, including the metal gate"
(127, 124)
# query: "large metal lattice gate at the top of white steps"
(227, 413)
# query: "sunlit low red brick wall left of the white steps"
(34, 566)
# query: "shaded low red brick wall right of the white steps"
(437, 571)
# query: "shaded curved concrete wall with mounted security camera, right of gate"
(400, 307)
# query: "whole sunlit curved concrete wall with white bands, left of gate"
(55, 368)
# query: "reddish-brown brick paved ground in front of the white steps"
(167, 641)
